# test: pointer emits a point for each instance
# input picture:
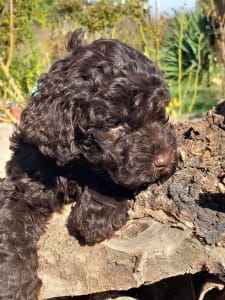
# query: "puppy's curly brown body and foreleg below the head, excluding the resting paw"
(29, 194)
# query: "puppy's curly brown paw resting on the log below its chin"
(95, 217)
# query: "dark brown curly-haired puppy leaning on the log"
(94, 131)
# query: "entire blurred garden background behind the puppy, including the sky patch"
(186, 39)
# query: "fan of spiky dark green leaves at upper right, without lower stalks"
(194, 47)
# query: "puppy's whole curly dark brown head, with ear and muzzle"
(104, 102)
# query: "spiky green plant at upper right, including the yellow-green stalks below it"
(186, 55)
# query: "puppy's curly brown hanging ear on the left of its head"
(47, 122)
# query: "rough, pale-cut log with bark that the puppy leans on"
(174, 228)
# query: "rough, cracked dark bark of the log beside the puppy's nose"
(195, 195)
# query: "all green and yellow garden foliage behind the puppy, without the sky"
(32, 35)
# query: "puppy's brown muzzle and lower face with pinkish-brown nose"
(135, 158)
